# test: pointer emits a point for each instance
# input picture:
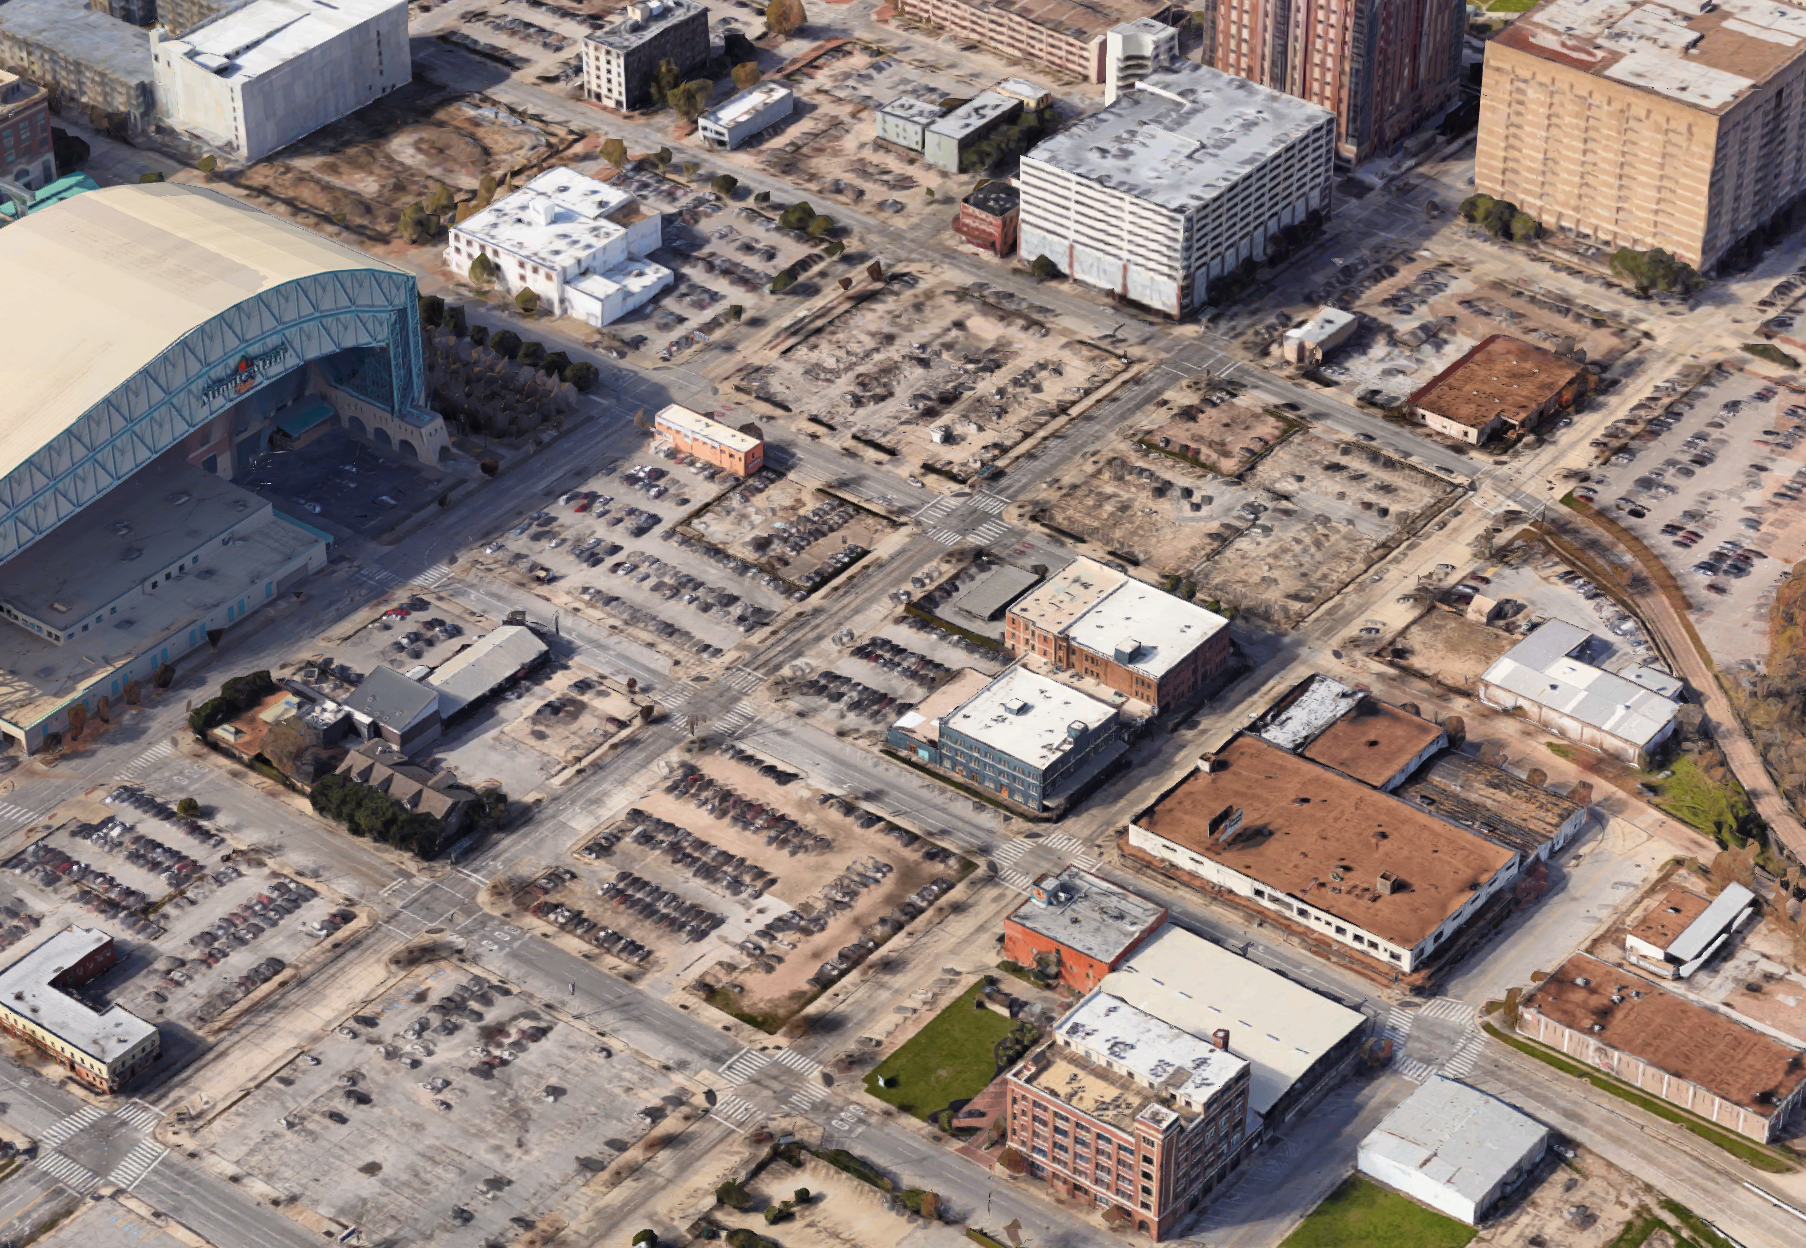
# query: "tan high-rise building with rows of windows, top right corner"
(1648, 126)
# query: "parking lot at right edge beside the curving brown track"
(1715, 481)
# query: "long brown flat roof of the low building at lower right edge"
(1675, 1036)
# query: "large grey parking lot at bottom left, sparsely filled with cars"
(452, 1112)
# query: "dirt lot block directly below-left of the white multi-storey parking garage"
(915, 364)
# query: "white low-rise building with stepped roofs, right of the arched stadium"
(577, 243)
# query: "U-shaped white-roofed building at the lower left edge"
(100, 1048)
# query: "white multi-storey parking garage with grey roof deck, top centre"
(1178, 183)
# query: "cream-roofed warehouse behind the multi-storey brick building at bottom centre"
(1292, 1038)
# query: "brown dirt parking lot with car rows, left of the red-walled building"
(736, 871)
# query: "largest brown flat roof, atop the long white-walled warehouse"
(1319, 837)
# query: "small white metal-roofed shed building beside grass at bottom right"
(1455, 1148)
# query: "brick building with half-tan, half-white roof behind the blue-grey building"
(1122, 633)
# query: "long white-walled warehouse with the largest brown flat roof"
(1355, 866)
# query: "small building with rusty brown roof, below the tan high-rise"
(1500, 387)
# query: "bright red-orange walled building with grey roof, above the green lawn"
(1079, 927)
